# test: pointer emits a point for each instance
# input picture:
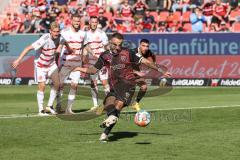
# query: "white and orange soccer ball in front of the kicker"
(142, 118)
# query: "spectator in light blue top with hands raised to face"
(197, 19)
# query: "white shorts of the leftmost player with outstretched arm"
(42, 74)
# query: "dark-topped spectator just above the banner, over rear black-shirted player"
(148, 22)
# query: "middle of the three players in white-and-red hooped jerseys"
(71, 59)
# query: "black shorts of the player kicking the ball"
(123, 92)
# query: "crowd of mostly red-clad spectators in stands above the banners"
(127, 16)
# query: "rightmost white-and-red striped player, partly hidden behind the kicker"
(96, 40)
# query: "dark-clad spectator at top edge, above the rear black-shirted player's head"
(139, 9)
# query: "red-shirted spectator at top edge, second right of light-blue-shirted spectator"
(220, 12)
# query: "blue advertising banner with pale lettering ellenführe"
(189, 43)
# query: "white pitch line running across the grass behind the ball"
(12, 116)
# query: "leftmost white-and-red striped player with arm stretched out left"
(46, 46)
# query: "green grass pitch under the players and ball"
(191, 132)
